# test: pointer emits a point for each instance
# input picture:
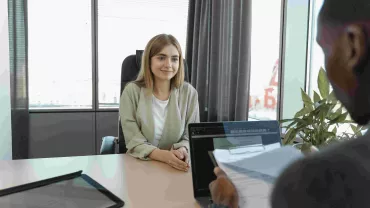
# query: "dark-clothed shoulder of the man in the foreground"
(325, 175)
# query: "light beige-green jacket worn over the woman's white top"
(137, 119)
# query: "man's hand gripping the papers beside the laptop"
(223, 191)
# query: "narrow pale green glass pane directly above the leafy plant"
(296, 19)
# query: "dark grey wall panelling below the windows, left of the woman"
(64, 134)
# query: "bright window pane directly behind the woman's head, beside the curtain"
(125, 26)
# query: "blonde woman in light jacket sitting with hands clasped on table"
(156, 109)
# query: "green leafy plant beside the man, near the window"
(317, 123)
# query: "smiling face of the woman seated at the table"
(165, 64)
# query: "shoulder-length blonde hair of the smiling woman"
(154, 46)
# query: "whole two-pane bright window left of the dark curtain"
(61, 46)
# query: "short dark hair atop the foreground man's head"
(339, 12)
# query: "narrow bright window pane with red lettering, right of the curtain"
(265, 59)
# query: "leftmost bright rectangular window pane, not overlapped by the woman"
(59, 49)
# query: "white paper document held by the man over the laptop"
(254, 173)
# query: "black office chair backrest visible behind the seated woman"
(129, 71)
